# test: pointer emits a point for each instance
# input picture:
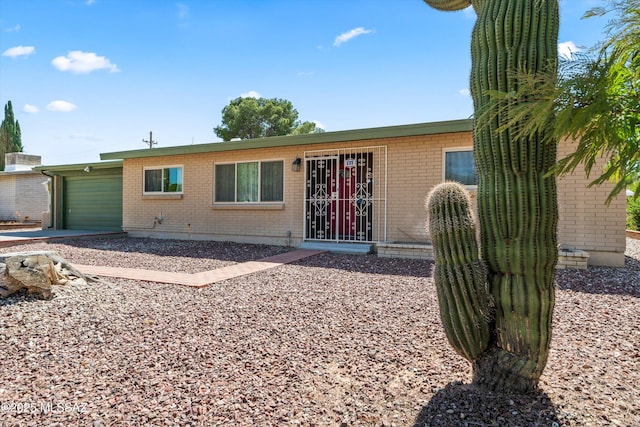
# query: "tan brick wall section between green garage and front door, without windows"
(195, 216)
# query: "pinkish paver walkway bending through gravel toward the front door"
(198, 280)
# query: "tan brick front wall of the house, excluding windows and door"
(414, 166)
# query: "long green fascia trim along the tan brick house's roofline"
(453, 126)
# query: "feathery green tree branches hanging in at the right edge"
(595, 101)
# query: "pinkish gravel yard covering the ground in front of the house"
(331, 340)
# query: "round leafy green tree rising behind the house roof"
(248, 118)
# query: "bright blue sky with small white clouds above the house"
(92, 76)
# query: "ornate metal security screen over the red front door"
(341, 203)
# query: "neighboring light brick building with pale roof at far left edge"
(24, 194)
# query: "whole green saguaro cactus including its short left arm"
(517, 206)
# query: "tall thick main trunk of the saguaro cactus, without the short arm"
(517, 202)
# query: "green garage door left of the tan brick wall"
(93, 203)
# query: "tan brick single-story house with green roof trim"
(346, 187)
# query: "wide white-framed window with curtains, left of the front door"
(249, 182)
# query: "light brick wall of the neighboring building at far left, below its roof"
(23, 195)
